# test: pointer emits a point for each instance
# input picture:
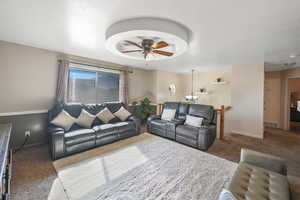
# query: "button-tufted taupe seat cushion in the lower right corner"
(254, 183)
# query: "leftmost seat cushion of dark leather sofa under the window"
(79, 136)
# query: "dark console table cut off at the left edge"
(5, 161)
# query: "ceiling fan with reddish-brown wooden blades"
(148, 46)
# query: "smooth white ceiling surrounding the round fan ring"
(223, 33)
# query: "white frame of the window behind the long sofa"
(90, 68)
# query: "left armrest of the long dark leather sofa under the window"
(57, 141)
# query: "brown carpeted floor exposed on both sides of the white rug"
(34, 176)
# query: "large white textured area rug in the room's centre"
(144, 167)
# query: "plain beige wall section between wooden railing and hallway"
(247, 90)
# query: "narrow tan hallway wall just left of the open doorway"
(272, 97)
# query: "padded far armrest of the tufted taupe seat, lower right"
(265, 161)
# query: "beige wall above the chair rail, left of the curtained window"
(28, 78)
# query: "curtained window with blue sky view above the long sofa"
(93, 85)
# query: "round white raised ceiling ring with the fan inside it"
(141, 37)
